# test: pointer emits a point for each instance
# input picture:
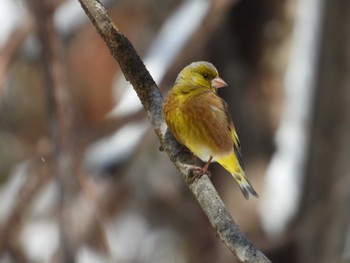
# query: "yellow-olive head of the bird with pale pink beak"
(200, 74)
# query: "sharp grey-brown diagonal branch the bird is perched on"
(151, 98)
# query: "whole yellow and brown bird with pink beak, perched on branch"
(199, 119)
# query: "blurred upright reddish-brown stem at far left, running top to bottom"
(60, 119)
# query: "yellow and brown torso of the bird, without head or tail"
(199, 123)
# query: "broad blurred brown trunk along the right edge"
(326, 197)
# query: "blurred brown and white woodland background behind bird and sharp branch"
(92, 185)
